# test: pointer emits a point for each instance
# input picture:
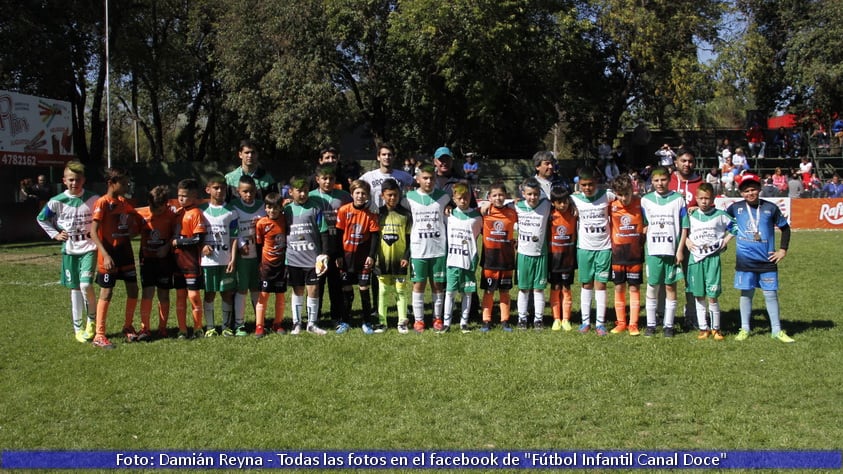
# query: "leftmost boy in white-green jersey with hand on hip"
(67, 218)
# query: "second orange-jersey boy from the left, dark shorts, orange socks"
(156, 259)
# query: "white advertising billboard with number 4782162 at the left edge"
(34, 131)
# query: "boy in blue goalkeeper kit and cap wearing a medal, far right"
(756, 259)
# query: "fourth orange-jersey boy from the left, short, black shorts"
(271, 239)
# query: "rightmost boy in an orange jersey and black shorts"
(628, 241)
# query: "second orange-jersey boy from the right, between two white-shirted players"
(563, 257)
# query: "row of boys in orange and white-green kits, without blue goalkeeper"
(298, 248)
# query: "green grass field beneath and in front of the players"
(454, 391)
